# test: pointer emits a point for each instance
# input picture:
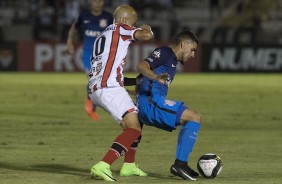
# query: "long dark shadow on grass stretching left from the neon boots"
(49, 168)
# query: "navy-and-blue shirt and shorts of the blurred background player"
(91, 26)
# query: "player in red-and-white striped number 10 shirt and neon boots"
(106, 89)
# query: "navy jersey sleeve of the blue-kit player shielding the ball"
(159, 56)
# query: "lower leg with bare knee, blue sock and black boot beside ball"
(186, 141)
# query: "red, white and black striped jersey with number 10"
(109, 52)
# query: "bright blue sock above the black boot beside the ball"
(186, 140)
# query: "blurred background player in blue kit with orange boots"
(91, 23)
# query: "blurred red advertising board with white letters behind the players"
(51, 56)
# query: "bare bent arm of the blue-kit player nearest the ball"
(145, 69)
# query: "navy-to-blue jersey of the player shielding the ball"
(161, 60)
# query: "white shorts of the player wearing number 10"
(115, 101)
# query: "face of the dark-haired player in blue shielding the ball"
(188, 50)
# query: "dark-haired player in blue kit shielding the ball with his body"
(157, 72)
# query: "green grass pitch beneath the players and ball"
(47, 138)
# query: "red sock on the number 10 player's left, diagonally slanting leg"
(121, 145)
